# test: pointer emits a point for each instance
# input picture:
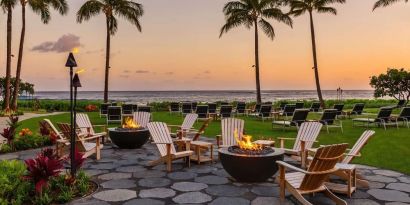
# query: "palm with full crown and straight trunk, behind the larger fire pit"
(255, 13)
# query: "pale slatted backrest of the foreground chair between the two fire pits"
(160, 134)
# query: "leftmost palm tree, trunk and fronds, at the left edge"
(7, 6)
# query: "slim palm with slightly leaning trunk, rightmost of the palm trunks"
(300, 7)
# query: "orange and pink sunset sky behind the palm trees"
(180, 49)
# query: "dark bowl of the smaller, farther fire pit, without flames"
(126, 138)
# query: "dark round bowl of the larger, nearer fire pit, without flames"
(250, 167)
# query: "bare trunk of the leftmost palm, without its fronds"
(8, 64)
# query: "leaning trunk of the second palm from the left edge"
(20, 57)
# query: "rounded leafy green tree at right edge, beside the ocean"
(395, 83)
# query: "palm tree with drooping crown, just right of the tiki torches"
(127, 9)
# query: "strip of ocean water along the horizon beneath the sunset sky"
(205, 95)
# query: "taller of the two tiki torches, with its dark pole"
(71, 63)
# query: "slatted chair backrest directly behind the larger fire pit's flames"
(228, 127)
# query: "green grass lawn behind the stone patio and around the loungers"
(387, 149)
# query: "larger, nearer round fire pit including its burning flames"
(249, 162)
